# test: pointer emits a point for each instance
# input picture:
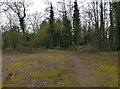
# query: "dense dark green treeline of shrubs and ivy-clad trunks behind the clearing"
(66, 34)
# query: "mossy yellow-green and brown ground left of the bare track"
(23, 68)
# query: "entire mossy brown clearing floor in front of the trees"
(55, 68)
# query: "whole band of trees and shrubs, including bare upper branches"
(94, 26)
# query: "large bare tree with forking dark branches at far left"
(19, 8)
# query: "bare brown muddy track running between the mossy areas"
(82, 72)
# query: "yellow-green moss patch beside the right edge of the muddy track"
(108, 73)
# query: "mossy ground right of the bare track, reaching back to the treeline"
(105, 71)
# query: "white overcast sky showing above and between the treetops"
(37, 6)
